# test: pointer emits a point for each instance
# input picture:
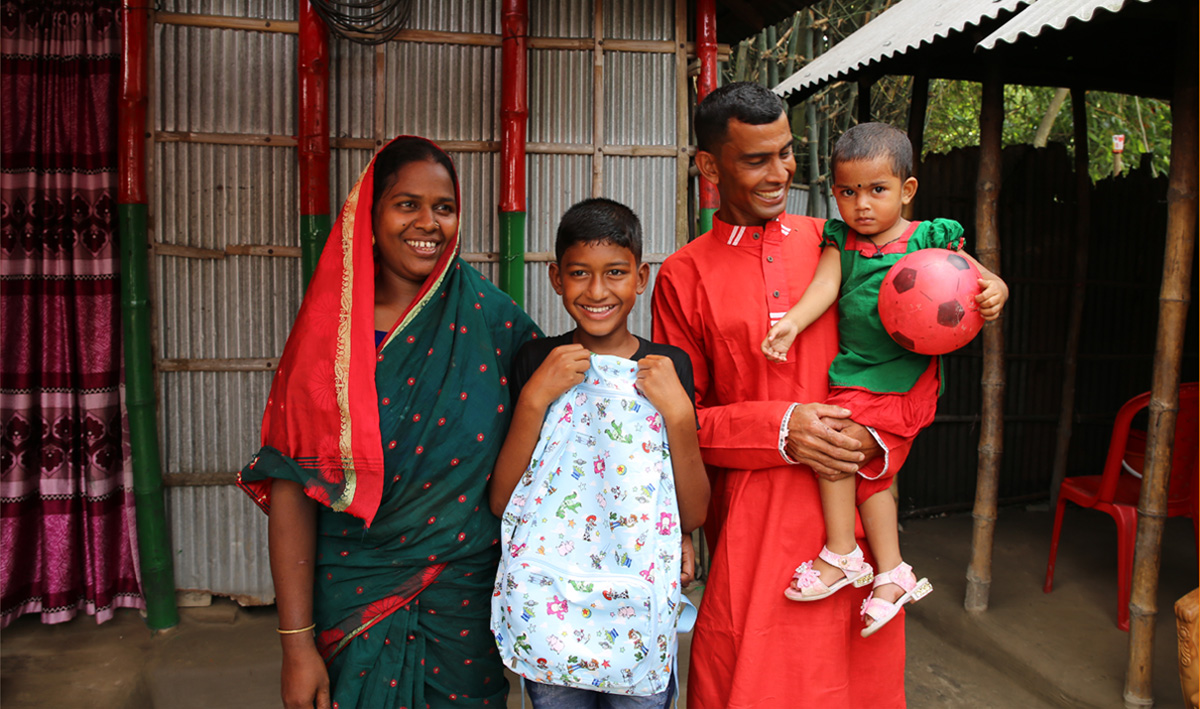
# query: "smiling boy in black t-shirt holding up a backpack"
(599, 274)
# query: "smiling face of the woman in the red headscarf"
(415, 220)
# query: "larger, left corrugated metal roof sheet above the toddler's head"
(905, 27)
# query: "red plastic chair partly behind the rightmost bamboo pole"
(1117, 491)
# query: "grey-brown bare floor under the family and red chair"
(1029, 650)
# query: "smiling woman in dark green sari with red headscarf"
(385, 420)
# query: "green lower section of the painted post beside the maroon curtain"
(158, 566)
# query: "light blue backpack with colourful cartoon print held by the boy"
(589, 587)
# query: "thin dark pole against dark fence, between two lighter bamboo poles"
(1078, 293)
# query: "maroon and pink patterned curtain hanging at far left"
(68, 538)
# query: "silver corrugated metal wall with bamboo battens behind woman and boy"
(225, 200)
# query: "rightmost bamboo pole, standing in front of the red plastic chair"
(1173, 314)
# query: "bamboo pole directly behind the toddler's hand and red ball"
(992, 435)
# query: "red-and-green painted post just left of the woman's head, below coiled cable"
(313, 143)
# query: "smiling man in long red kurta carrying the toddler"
(765, 432)
